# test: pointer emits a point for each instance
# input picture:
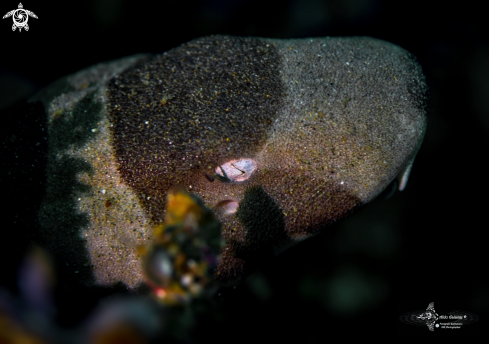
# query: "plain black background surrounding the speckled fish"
(424, 244)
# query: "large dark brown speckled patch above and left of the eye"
(191, 109)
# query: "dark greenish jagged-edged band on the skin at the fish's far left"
(57, 214)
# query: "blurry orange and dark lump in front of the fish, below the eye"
(180, 262)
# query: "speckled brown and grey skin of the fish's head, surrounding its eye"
(330, 123)
